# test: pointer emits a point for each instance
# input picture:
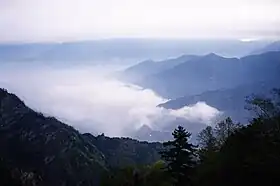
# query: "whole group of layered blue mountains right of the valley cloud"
(223, 83)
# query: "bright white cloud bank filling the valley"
(82, 97)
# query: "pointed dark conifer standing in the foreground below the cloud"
(180, 157)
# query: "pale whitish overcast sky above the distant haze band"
(59, 20)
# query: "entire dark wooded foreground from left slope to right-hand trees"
(36, 150)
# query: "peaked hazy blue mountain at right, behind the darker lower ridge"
(213, 72)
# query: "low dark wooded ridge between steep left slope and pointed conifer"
(121, 152)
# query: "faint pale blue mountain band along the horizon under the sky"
(109, 49)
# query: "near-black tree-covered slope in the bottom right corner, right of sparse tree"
(250, 154)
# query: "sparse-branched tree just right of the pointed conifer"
(210, 141)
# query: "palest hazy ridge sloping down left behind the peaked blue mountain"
(147, 68)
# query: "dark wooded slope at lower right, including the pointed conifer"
(227, 154)
